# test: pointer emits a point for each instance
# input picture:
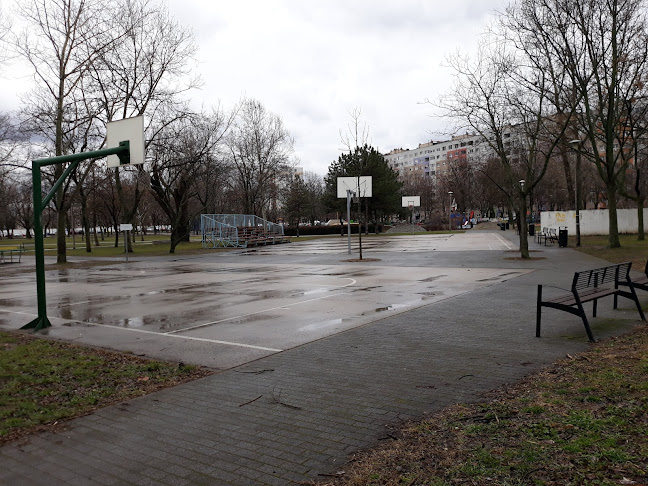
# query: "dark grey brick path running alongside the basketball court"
(291, 416)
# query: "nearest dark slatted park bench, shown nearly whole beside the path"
(589, 286)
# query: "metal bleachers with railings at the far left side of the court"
(239, 231)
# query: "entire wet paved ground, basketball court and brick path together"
(319, 356)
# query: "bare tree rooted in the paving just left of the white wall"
(503, 96)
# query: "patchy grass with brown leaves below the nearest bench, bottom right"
(582, 421)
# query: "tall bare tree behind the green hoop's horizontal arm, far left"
(62, 40)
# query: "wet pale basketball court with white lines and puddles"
(222, 309)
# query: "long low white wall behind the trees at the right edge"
(592, 221)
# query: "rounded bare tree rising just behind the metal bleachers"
(260, 149)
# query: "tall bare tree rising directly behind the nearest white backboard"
(144, 74)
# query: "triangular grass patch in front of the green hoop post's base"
(43, 382)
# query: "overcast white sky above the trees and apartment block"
(313, 61)
